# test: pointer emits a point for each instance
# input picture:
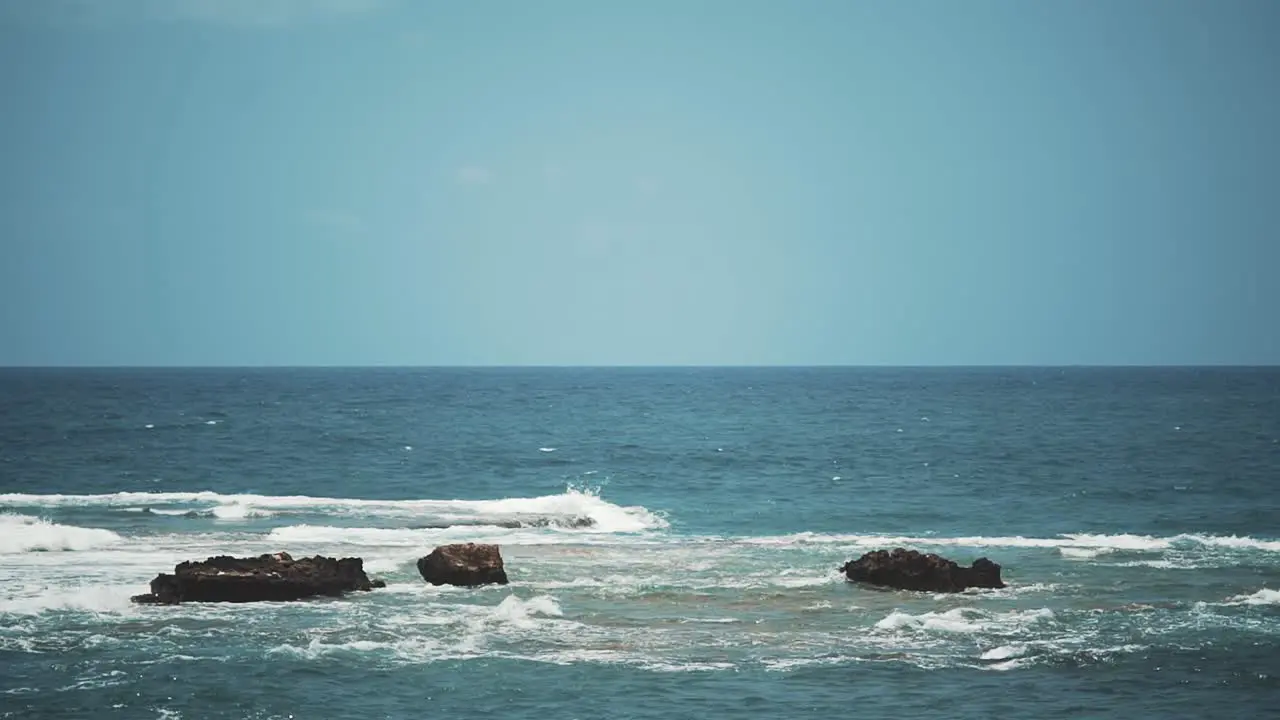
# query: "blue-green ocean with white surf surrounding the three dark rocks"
(1136, 513)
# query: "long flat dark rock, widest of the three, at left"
(253, 580)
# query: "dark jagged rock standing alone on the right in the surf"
(911, 571)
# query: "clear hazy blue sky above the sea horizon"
(673, 183)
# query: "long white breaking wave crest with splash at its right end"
(606, 517)
